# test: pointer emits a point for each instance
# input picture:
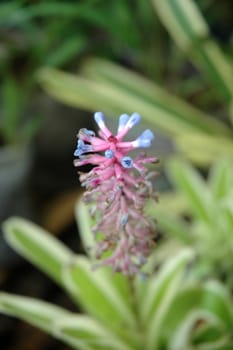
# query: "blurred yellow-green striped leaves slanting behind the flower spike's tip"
(108, 87)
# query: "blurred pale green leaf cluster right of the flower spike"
(199, 213)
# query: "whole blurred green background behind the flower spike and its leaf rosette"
(171, 61)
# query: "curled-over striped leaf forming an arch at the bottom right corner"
(207, 305)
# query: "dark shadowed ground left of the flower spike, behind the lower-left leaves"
(52, 189)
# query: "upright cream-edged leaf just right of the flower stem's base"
(156, 295)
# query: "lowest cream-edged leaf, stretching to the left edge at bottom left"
(79, 331)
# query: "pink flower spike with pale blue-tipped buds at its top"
(118, 187)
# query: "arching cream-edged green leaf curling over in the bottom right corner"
(210, 299)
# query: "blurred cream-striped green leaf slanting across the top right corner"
(188, 28)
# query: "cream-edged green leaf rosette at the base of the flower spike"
(120, 312)
